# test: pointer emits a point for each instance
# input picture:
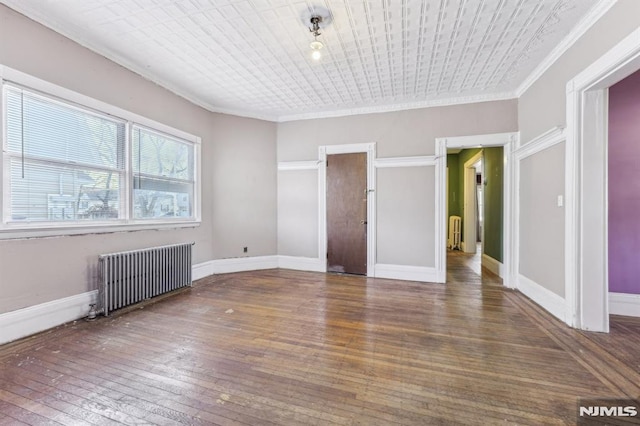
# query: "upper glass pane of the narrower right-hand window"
(159, 155)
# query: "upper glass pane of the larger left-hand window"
(44, 128)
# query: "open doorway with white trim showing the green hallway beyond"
(488, 201)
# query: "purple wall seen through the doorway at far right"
(624, 185)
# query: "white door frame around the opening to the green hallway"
(510, 142)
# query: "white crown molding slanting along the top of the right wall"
(578, 31)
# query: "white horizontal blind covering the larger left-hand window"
(65, 163)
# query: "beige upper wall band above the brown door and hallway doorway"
(396, 134)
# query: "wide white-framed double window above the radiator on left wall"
(70, 165)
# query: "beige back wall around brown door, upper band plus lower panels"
(405, 226)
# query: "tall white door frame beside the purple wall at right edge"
(586, 211)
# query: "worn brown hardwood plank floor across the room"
(284, 347)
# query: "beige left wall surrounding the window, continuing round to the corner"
(238, 171)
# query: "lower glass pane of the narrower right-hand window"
(158, 198)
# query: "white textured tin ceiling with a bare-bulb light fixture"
(252, 57)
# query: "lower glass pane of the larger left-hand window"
(55, 193)
